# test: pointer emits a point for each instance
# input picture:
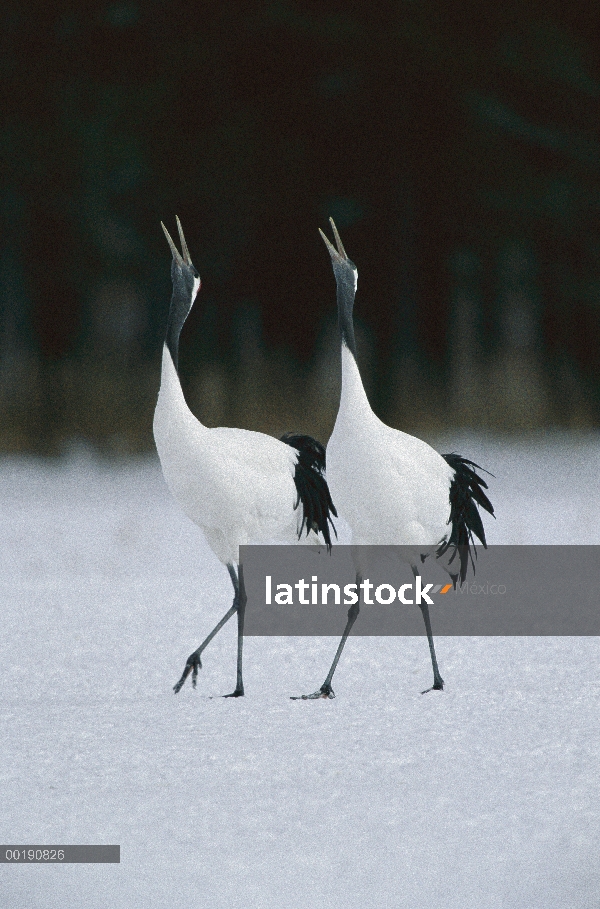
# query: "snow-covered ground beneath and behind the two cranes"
(484, 795)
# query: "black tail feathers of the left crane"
(311, 486)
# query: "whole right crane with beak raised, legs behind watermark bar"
(392, 488)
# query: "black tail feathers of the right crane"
(466, 493)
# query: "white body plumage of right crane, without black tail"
(390, 487)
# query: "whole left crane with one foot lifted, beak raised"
(238, 486)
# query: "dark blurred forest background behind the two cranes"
(457, 146)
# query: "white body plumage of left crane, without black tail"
(236, 485)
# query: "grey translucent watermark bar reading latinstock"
(510, 590)
